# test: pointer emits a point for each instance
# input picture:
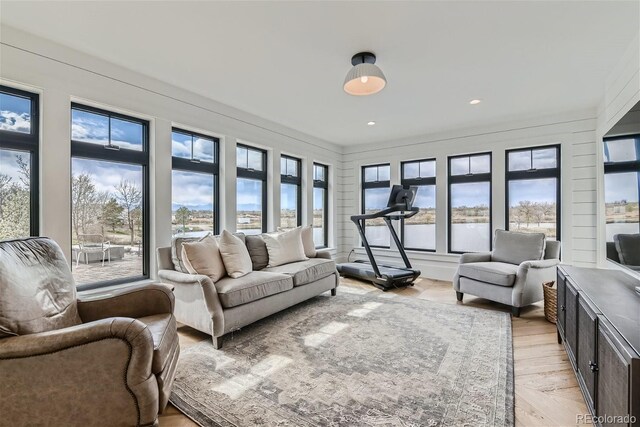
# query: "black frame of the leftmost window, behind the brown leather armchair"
(17, 141)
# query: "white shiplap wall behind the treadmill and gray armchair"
(575, 132)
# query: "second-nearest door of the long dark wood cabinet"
(586, 355)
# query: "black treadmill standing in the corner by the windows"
(385, 277)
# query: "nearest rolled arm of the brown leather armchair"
(104, 364)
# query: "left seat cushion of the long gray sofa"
(251, 287)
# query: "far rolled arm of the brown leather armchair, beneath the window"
(135, 301)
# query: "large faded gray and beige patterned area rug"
(357, 359)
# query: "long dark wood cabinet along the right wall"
(599, 323)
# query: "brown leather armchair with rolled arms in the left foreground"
(107, 361)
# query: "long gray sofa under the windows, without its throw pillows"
(230, 304)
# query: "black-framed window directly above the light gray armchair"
(533, 190)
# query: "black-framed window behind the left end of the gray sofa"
(194, 184)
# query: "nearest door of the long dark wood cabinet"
(613, 376)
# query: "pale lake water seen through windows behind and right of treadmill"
(465, 237)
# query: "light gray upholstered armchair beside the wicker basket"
(512, 273)
